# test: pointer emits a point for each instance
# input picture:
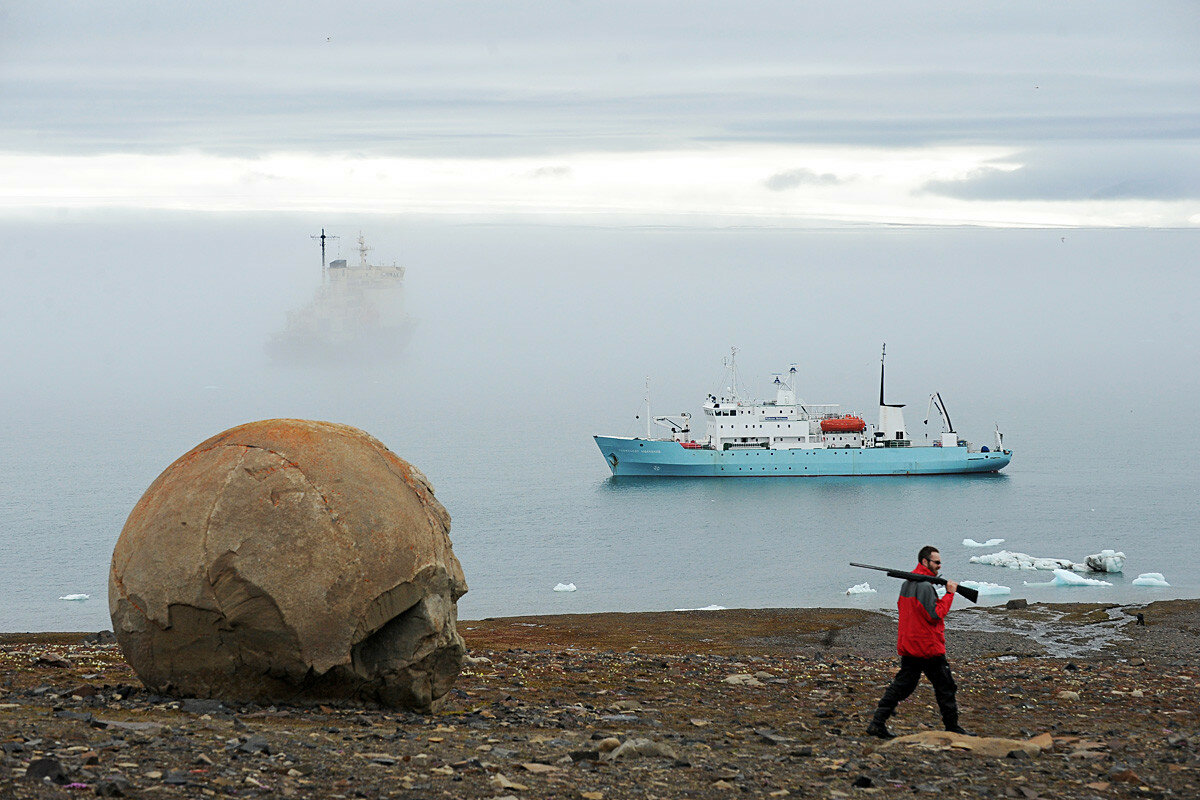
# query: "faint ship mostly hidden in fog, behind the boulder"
(357, 316)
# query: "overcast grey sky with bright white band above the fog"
(992, 113)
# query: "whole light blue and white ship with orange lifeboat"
(788, 437)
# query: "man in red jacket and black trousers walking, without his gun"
(921, 642)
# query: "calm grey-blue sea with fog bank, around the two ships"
(131, 338)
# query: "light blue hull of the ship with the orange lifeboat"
(657, 459)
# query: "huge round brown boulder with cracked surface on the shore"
(290, 561)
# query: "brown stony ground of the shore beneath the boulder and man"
(1065, 701)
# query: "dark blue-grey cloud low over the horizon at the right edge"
(1084, 172)
